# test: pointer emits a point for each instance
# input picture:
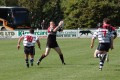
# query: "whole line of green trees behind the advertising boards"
(75, 13)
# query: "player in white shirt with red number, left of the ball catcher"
(29, 41)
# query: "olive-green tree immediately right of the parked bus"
(36, 10)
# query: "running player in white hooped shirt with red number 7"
(105, 38)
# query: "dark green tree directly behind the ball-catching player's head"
(52, 11)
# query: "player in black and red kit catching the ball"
(52, 43)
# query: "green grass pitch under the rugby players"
(80, 64)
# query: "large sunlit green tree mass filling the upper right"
(87, 13)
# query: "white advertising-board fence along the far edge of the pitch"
(43, 33)
